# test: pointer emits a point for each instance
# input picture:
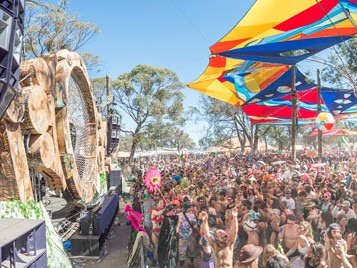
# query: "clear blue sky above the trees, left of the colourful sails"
(170, 34)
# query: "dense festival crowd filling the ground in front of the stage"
(224, 210)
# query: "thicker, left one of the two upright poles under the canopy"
(294, 115)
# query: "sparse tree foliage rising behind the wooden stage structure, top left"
(50, 28)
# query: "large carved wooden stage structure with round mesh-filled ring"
(52, 127)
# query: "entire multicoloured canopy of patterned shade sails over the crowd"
(250, 66)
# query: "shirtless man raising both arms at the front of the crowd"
(223, 244)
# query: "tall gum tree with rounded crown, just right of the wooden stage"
(148, 94)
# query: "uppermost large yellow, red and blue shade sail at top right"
(273, 29)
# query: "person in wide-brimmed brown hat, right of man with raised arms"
(249, 256)
